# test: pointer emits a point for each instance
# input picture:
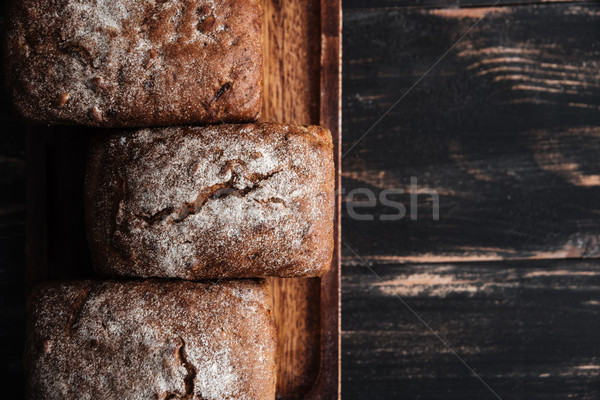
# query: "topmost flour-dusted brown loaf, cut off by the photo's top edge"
(117, 63)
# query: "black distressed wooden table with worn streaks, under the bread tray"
(501, 295)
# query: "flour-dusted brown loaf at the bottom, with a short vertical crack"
(151, 340)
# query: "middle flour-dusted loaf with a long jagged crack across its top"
(212, 202)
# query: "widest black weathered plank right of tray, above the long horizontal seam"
(506, 129)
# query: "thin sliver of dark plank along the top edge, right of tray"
(359, 5)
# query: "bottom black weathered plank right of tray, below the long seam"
(529, 329)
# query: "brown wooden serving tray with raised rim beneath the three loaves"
(302, 48)
